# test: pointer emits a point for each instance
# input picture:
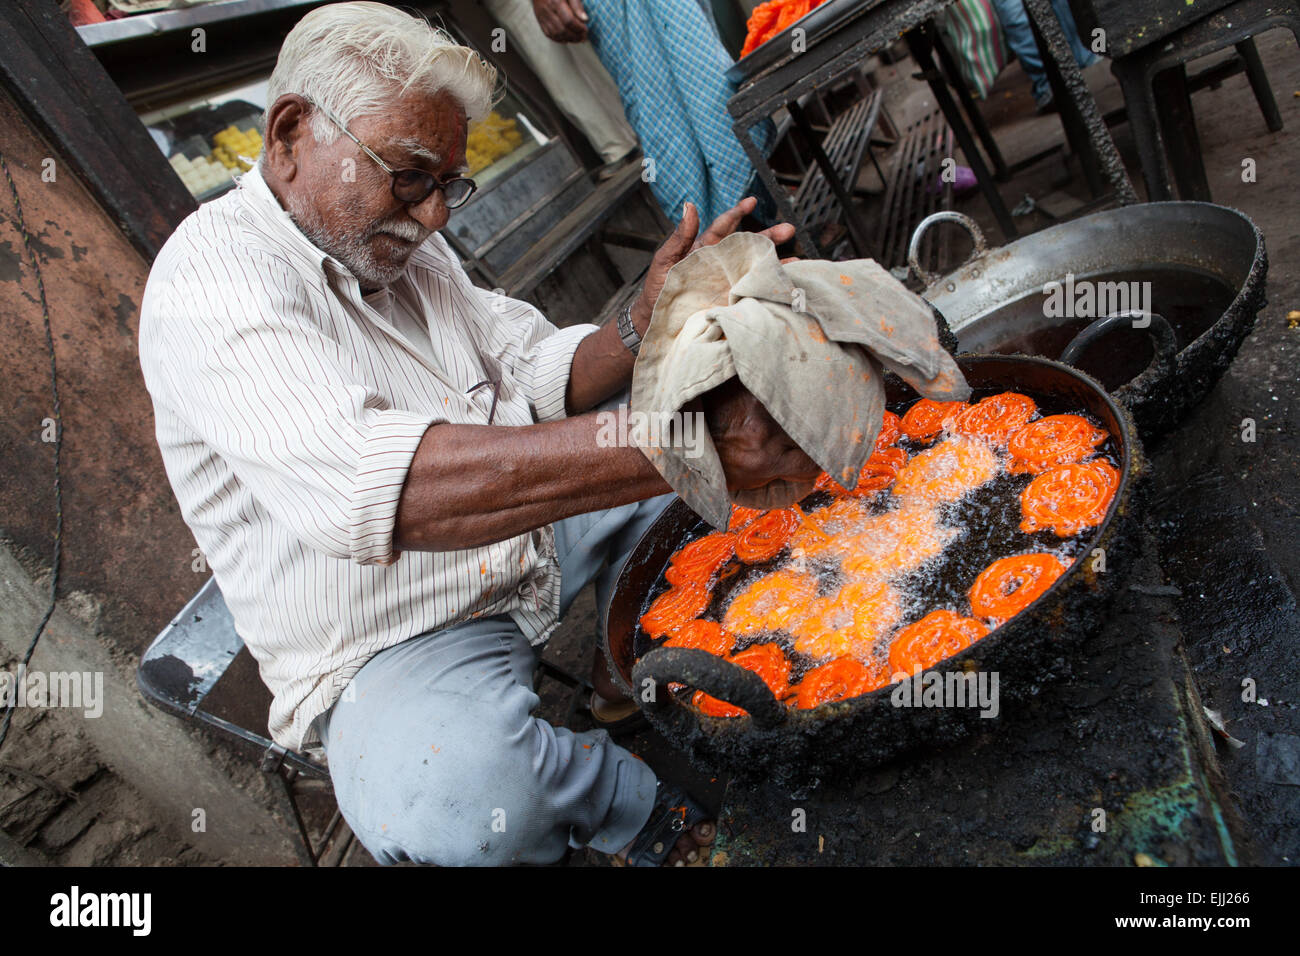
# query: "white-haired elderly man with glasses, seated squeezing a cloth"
(391, 470)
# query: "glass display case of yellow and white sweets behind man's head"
(206, 116)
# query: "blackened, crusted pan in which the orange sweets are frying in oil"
(799, 746)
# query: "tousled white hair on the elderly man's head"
(357, 58)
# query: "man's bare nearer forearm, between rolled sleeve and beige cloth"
(471, 486)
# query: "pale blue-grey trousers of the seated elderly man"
(437, 759)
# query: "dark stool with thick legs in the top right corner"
(1158, 72)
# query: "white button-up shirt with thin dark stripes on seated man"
(289, 412)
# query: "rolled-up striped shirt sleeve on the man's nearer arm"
(236, 353)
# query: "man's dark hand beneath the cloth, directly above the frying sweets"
(753, 448)
